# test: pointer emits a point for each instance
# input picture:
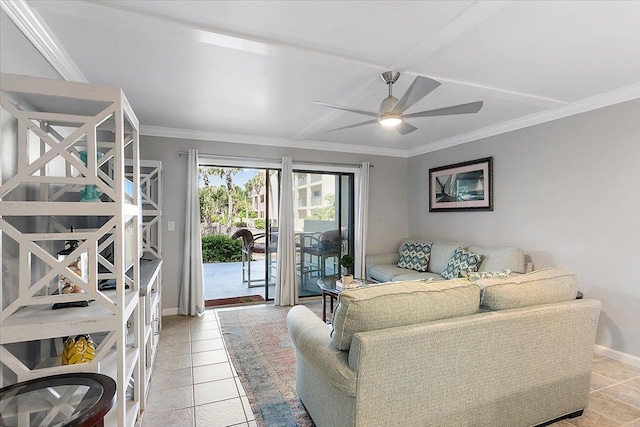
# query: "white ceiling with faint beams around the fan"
(247, 71)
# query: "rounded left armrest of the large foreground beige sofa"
(312, 339)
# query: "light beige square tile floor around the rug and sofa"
(195, 384)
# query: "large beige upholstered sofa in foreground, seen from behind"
(444, 353)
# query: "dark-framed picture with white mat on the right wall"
(466, 186)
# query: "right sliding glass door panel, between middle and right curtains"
(324, 225)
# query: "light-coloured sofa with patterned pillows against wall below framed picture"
(384, 267)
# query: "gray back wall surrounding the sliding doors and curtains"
(387, 205)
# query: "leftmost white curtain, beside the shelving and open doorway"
(191, 297)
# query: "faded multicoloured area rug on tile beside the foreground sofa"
(264, 357)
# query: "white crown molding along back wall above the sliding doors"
(165, 132)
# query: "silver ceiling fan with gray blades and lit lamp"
(392, 110)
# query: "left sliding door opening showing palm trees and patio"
(239, 225)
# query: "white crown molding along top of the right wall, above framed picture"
(606, 99)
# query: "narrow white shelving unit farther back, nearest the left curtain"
(150, 265)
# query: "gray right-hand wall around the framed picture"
(567, 193)
